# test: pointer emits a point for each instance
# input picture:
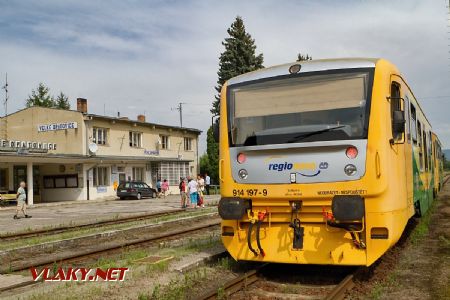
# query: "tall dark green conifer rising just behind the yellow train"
(239, 57)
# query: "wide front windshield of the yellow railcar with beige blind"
(306, 108)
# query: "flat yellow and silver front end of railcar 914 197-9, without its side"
(293, 164)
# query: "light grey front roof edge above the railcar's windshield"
(306, 66)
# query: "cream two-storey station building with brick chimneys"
(74, 155)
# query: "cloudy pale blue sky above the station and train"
(138, 57)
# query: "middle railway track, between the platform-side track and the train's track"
(99, 252)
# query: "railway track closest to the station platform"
(68, 228)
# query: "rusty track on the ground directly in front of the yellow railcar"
(246, 280)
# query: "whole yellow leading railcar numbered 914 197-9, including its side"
(321, 162)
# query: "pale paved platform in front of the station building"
(81, 212)
